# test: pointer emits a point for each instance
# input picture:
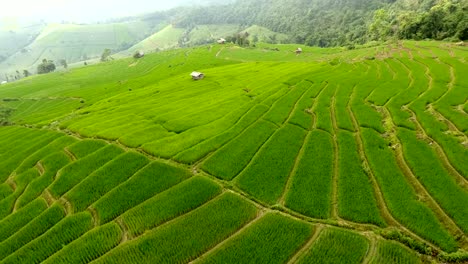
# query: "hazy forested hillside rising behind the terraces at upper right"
(340, 22)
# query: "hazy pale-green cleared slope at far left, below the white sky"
(75, 43)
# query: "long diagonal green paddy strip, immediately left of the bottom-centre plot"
(188, 236)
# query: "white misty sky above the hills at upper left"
(80, 10)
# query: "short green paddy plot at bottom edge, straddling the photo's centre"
(272, 239)
